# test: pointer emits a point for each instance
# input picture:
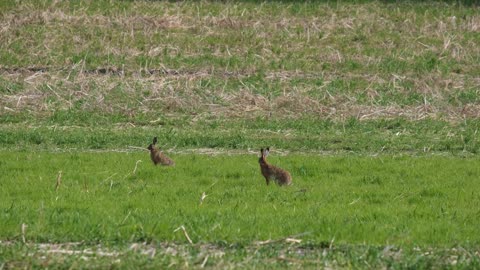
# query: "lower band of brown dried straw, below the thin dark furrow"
(175, 93)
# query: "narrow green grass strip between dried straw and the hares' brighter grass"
(297, 135)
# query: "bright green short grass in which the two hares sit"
(399, 201)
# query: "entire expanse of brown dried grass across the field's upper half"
(327, 37)
